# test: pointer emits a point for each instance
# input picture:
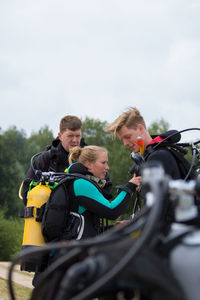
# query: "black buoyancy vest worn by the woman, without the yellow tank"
(60, 207)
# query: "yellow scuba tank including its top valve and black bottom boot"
(38, 195)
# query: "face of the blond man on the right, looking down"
(129, 138)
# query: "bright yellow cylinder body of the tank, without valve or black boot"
(32, 229)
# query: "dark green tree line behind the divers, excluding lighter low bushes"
(16, 150)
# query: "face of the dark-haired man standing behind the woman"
(70, 138)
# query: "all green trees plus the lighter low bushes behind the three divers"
(16, 151)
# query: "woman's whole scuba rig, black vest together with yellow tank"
(38, 227)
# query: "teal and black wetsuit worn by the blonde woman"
(90, 200)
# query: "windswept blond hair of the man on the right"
(130, 118)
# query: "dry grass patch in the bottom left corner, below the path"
(21, 293)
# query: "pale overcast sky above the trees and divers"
(95, 58)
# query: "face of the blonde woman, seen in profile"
(100, 166)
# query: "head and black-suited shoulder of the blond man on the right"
(129, 126)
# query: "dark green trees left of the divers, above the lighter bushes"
(15, 153)
